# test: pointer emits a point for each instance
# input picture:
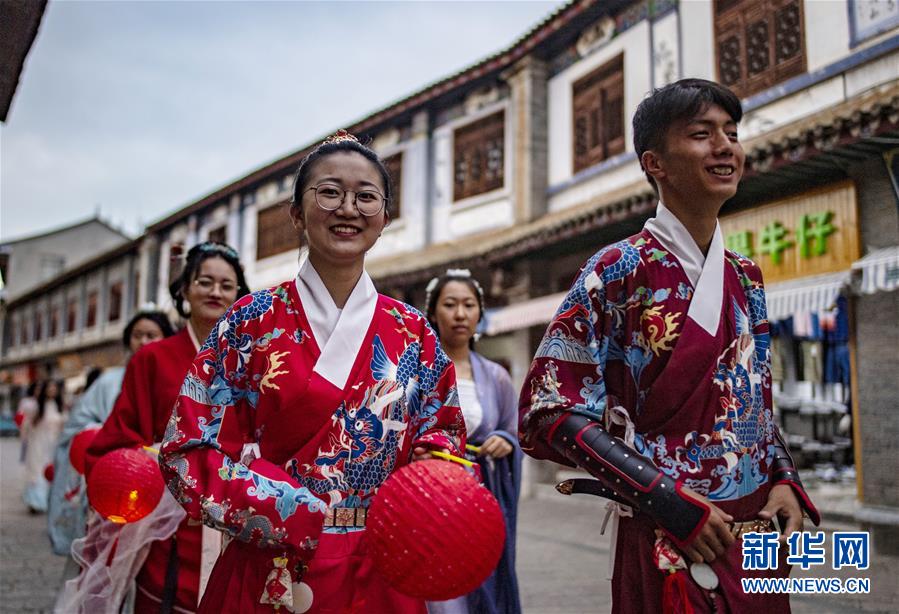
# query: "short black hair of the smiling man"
(679, 101)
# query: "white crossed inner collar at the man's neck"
(706, 273)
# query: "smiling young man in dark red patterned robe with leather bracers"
(654, 376)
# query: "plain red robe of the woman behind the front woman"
(139, 418)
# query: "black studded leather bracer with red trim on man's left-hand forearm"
(631, 476)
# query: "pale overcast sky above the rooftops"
(139, 108)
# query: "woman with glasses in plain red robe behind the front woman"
(211, 280)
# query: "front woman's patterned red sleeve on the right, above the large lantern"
(438, 420)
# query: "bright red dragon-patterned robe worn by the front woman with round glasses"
(262, 380)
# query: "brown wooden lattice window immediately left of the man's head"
(598, 114)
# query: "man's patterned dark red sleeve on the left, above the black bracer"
(567, 373)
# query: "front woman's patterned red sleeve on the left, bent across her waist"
(251, 499)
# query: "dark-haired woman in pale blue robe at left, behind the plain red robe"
(66, 516)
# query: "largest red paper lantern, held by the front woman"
(434, 532)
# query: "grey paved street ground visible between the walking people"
(562, 558)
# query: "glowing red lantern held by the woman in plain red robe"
(125, 485)
